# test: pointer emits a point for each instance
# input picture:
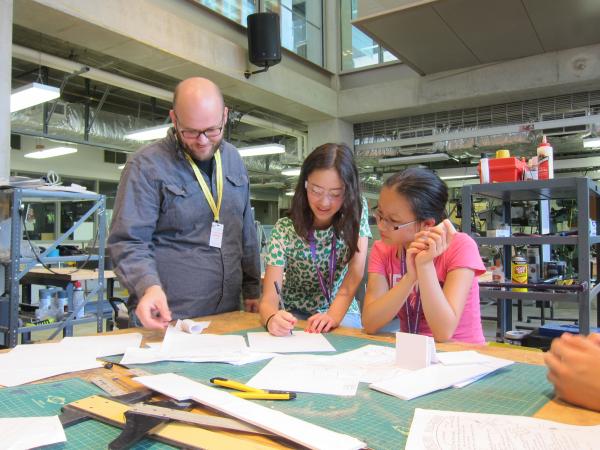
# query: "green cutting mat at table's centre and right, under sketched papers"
(380, 420)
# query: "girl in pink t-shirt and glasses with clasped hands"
(426, 274)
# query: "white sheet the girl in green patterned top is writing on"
(298, 342)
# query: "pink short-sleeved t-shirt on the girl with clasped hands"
(462, 253)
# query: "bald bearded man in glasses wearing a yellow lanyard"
(183, 238)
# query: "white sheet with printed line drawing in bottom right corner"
(452, 430)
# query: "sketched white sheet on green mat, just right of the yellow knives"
(307, 373)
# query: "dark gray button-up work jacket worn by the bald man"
(161, 227)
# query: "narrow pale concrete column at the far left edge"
(5, 84)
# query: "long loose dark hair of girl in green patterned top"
(346, 222)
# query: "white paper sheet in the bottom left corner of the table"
(20, 433)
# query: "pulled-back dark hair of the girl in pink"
(424, 190)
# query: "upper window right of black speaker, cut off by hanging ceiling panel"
(358, 49)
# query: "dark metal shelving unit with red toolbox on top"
(587, 194)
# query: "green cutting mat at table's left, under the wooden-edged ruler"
(46, 399)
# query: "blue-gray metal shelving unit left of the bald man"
(18, 266)
